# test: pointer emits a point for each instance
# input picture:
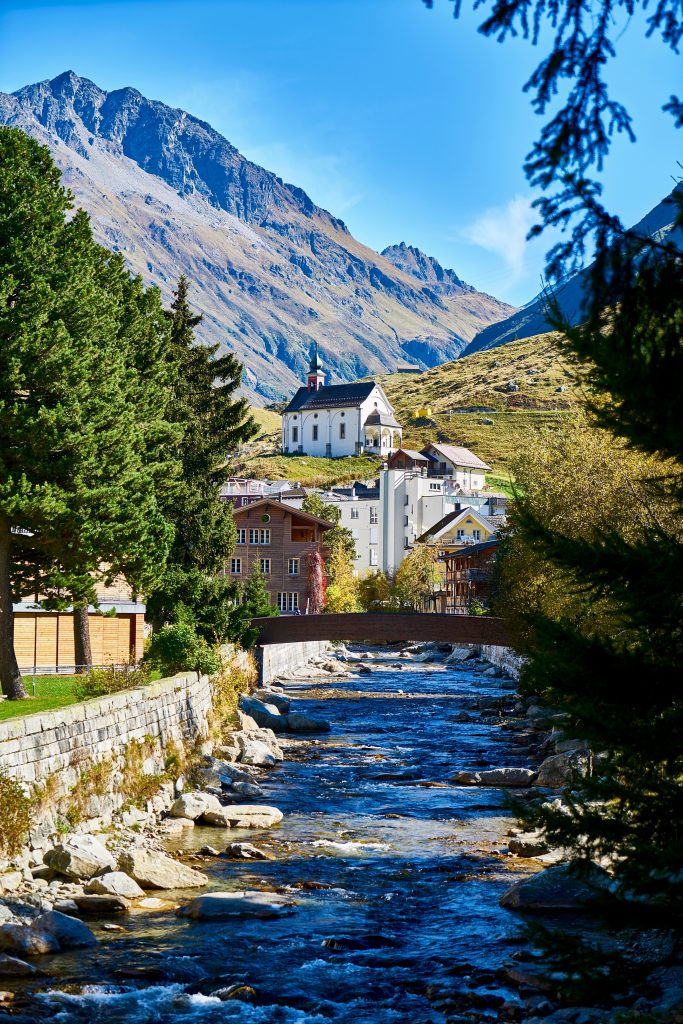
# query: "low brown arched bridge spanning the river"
(377, 626)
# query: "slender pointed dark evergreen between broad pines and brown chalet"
(215, 422)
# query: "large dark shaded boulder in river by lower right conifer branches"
(557, 888)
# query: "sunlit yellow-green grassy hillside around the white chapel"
(547, 389)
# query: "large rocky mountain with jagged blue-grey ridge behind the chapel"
(271, 271)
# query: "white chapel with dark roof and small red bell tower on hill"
(331, 421)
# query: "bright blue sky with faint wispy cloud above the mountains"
(406, 123)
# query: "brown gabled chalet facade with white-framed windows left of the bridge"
(281, 538)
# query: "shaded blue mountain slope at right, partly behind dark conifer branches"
(532, 319)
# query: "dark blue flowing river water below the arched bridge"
(395, 873)
